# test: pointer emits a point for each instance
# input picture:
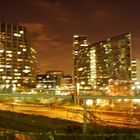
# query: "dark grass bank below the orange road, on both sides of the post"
(35, 123)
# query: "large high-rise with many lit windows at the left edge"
(17, 58)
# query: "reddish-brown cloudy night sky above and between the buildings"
(52, 24)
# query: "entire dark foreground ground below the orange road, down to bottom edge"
(18, 126)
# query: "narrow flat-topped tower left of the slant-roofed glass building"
(80, 48)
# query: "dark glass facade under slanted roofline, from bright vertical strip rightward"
(113, 61)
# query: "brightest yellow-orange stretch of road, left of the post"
(52, 112)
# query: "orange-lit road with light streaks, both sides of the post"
(118, 119)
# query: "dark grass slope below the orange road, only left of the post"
(33, 123)
